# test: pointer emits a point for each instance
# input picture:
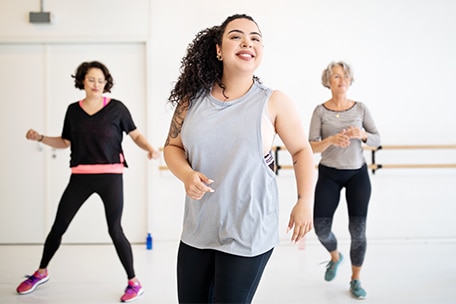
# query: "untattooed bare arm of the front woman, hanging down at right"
(289, 127)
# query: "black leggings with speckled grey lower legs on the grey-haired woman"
(327, 194)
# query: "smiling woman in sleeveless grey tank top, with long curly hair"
(216, 147)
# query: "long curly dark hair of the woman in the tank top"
(200, 68)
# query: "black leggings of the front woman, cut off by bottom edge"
(211, 276)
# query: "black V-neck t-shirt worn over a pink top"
(97, 138)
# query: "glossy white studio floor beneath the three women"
(400, 272)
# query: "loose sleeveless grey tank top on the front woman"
(223, 141)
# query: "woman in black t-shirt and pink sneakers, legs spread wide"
(93, 129)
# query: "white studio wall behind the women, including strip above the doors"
(402, 52)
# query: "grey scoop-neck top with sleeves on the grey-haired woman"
(326, 122)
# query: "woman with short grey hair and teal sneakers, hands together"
(338, 129)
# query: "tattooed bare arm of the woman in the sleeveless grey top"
(174, 154)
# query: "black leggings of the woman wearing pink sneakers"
(81, 186)
